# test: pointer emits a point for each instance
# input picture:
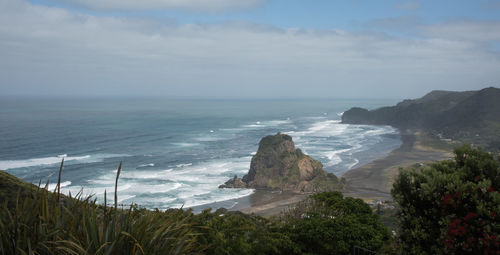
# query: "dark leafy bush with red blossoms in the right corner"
(451, 207)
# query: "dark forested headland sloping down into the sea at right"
(470, 116)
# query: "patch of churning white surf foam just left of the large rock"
(186, 184)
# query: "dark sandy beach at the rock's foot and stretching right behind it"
(372, 181)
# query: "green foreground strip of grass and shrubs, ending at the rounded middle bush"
(38, 221)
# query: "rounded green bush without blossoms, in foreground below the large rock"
(327, 223)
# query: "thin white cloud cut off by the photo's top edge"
(197, 5)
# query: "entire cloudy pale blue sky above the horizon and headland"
(247, 48)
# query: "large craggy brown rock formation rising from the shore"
(279, 165)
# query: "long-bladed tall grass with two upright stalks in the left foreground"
(45, 222)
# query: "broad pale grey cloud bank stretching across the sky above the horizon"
(50, 51)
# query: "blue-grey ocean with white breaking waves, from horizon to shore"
(174, 152)
